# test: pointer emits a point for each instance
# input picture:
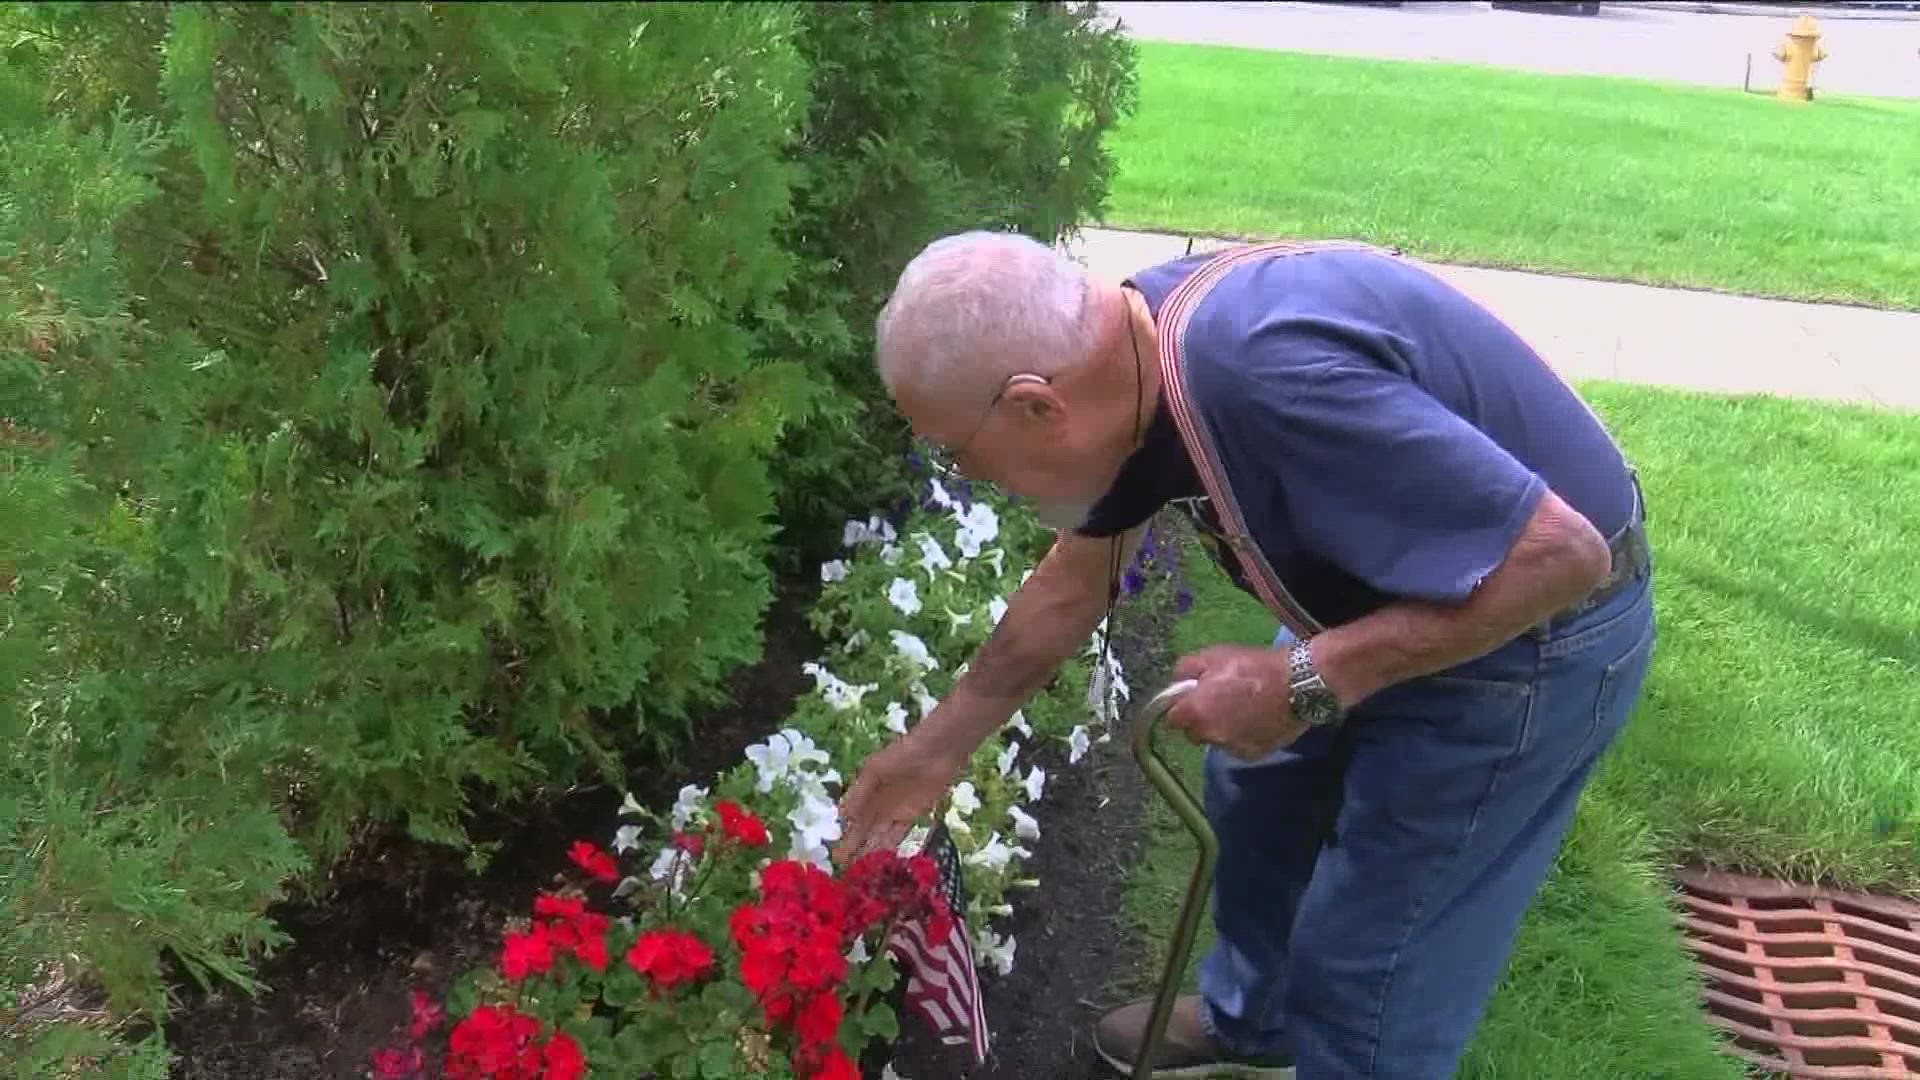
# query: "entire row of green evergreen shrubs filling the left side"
(398, 403)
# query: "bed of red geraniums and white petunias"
(731, 945)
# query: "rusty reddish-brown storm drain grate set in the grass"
(1808, 983)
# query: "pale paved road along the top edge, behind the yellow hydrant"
(1865, 57)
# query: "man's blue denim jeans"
(1372, 952)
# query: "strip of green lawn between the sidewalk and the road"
(1602, 178)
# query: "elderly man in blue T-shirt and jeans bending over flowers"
(1451, 543)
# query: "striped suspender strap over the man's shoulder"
(1174, 318)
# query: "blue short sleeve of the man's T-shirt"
(1378, 478)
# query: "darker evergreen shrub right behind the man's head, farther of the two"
(926, 120)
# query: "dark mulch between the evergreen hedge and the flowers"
(400, 916)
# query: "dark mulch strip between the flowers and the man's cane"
(1074, 954)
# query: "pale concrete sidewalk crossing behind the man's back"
(1660, 337)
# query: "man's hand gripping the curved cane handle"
(1239, 704)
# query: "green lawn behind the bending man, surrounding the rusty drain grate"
(1779, 727)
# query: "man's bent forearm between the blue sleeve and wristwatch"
(1558, 560)
